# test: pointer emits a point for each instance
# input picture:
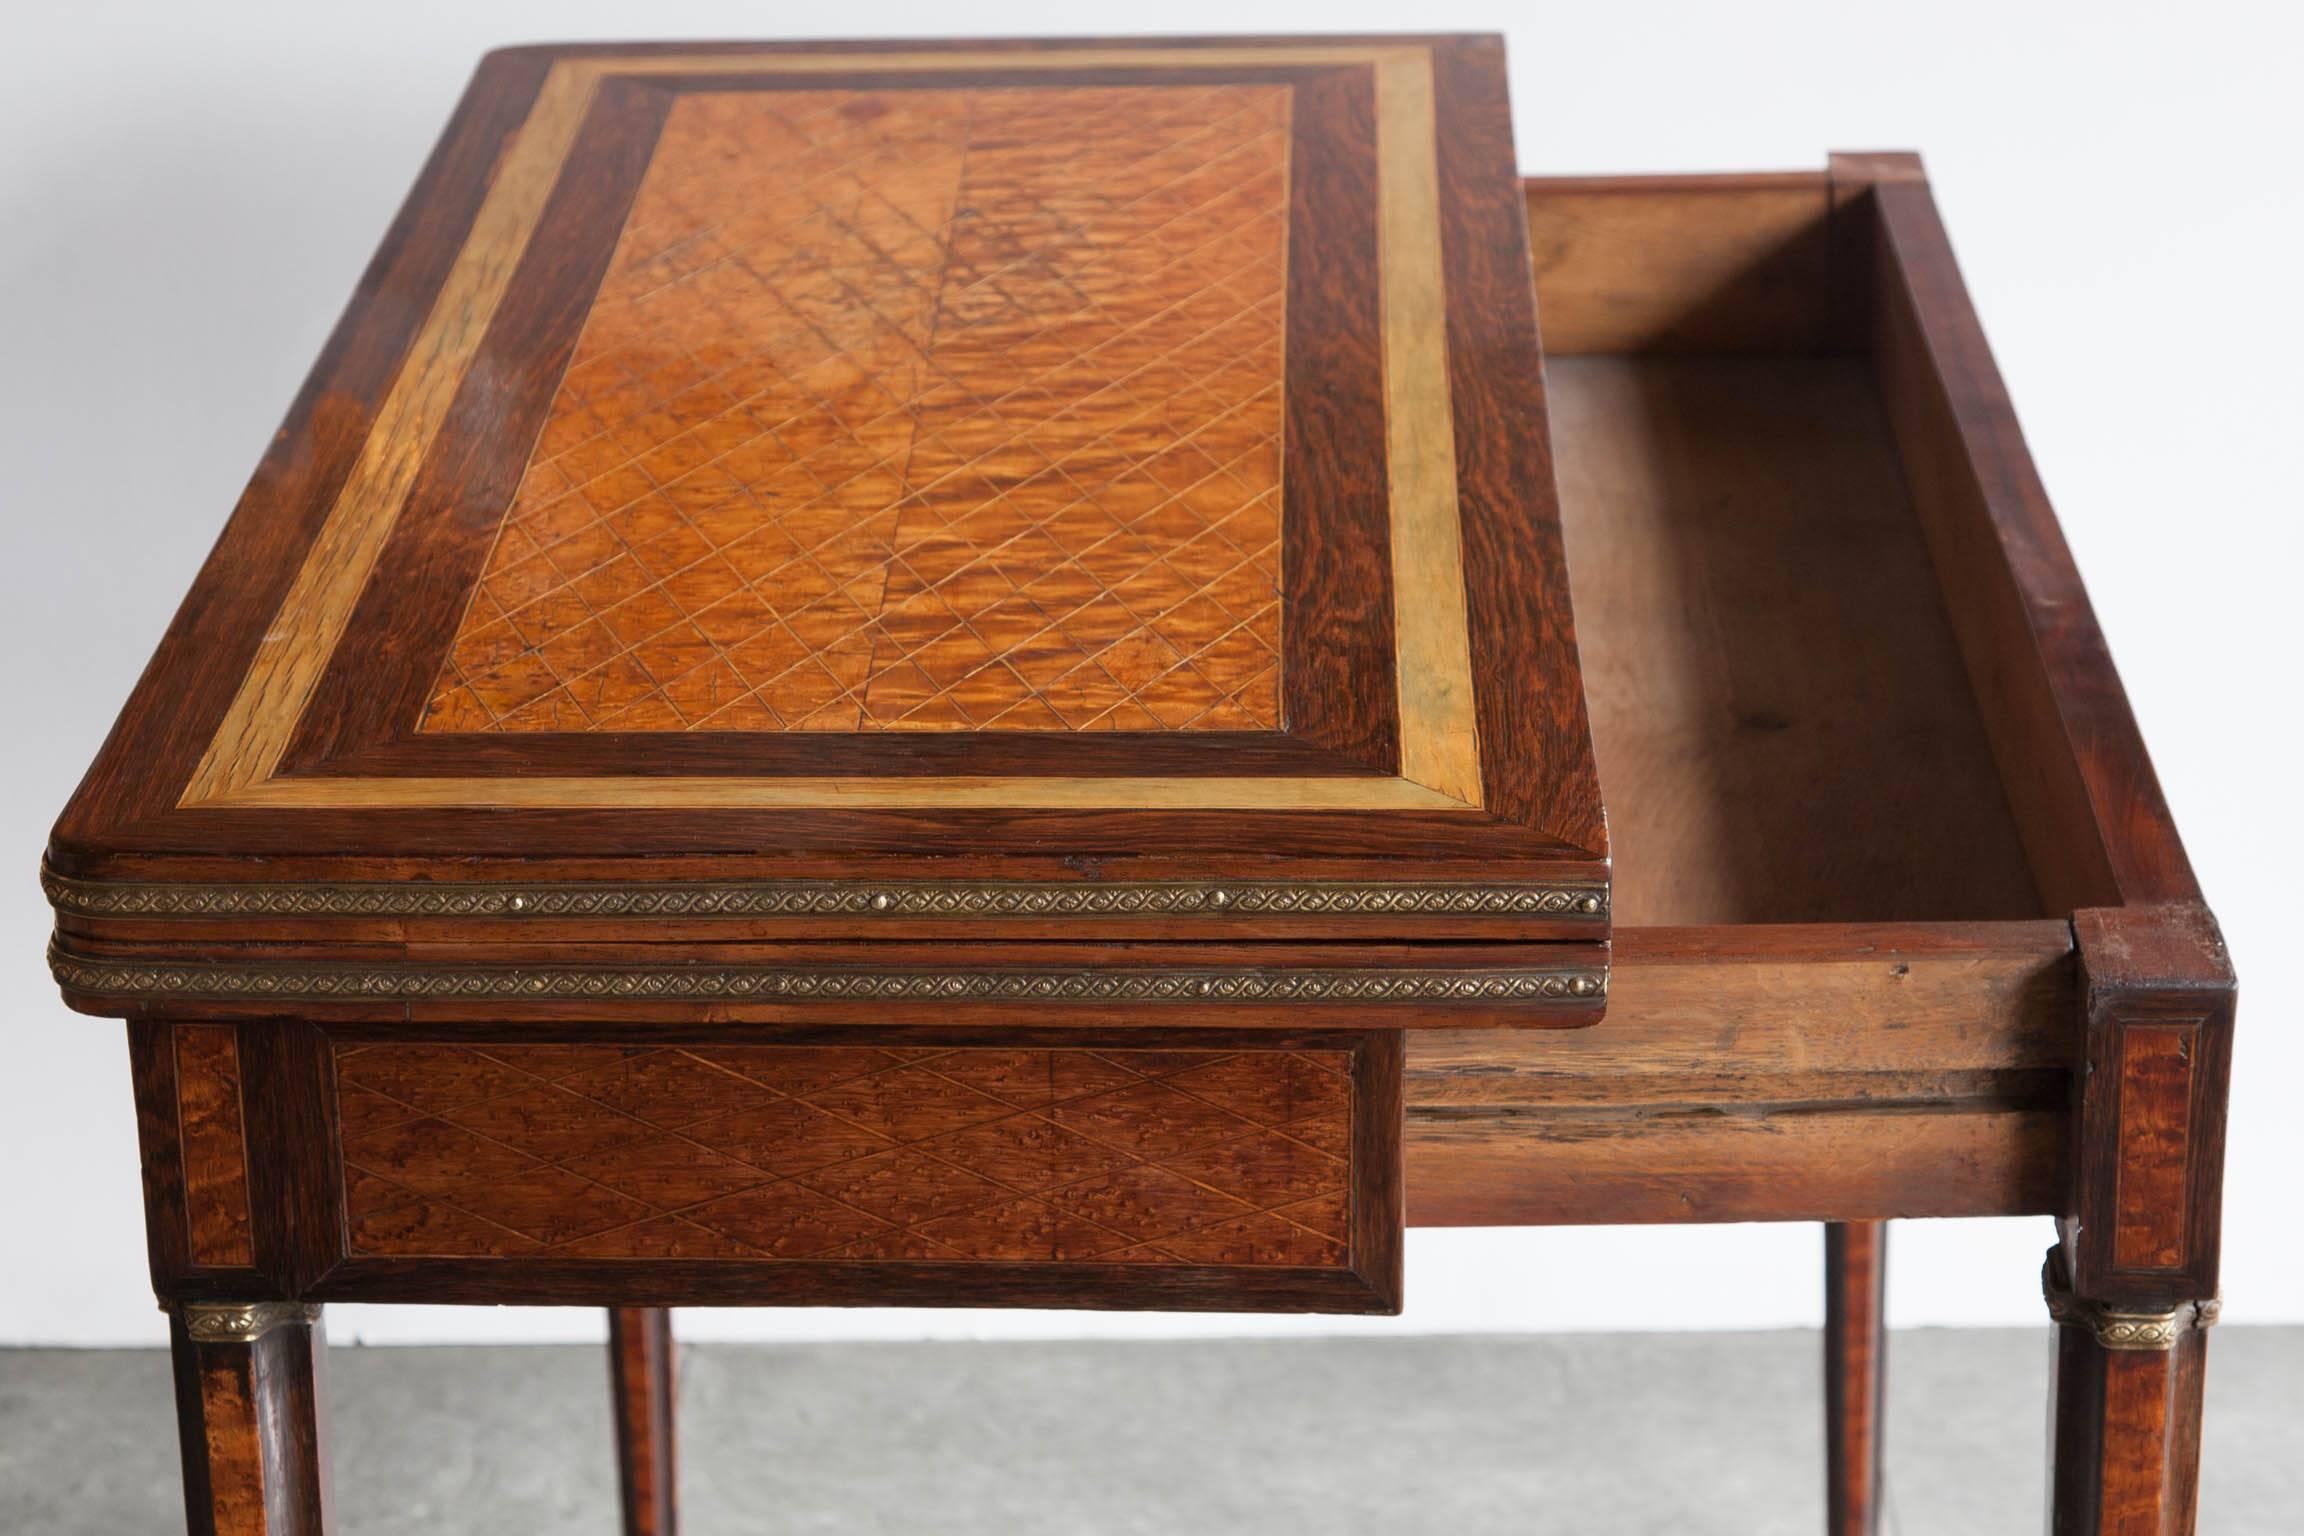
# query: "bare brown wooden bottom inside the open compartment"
(1780, 708)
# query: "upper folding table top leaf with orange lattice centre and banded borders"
(976, 464)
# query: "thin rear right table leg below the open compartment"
(1856, 1355)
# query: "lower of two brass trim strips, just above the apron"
(356, 982)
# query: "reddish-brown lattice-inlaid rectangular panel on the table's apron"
(847, 1153)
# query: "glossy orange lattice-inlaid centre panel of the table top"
(914, 411)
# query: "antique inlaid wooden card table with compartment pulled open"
(943, 674)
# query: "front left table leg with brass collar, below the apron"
(250, 1417)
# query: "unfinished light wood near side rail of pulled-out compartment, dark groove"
(1810, 1072)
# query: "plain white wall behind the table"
(190, 192)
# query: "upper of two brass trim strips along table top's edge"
(946, 899)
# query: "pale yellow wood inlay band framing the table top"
(1439, 747)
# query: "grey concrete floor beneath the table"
(1683, 1434)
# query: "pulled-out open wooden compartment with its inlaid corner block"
(1893, 872)
